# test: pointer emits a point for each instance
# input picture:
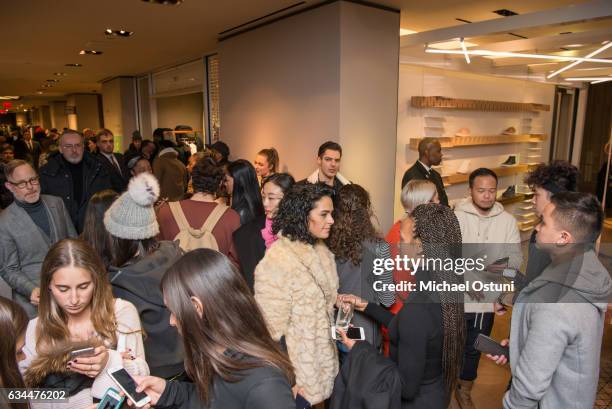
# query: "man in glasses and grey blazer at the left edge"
(28, 228)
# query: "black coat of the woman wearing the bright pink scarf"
(250, 247)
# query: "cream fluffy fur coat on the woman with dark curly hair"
(296, 285)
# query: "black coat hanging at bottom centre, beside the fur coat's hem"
(367, 380)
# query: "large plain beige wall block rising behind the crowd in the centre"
(326, 74)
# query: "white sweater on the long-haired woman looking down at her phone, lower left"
(128, 326)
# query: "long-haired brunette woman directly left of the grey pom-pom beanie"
(94, 232)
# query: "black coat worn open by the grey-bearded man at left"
(56, 180)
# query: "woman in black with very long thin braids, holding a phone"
(427, 336)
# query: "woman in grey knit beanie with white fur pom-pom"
(138, 263)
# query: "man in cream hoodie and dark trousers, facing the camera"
(490, 233)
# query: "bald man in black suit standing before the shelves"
(430, 154)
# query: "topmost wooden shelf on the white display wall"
(476, 104)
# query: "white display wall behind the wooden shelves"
(412, 122)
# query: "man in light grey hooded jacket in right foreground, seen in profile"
(558, 319)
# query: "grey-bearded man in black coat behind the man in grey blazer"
(74, 175)
